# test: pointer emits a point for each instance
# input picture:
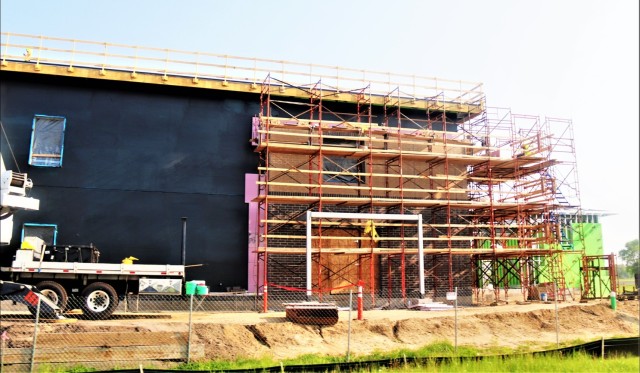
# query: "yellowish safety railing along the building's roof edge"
(71, 53)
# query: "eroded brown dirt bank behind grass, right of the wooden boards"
(535, 328)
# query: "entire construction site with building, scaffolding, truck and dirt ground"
(310, 191)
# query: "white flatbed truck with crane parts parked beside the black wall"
(60, 271)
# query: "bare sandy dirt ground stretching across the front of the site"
(253, 335)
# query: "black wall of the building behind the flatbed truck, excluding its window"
(137, 158)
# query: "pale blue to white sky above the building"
(564, 59)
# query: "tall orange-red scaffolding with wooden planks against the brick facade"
(482, 180)
